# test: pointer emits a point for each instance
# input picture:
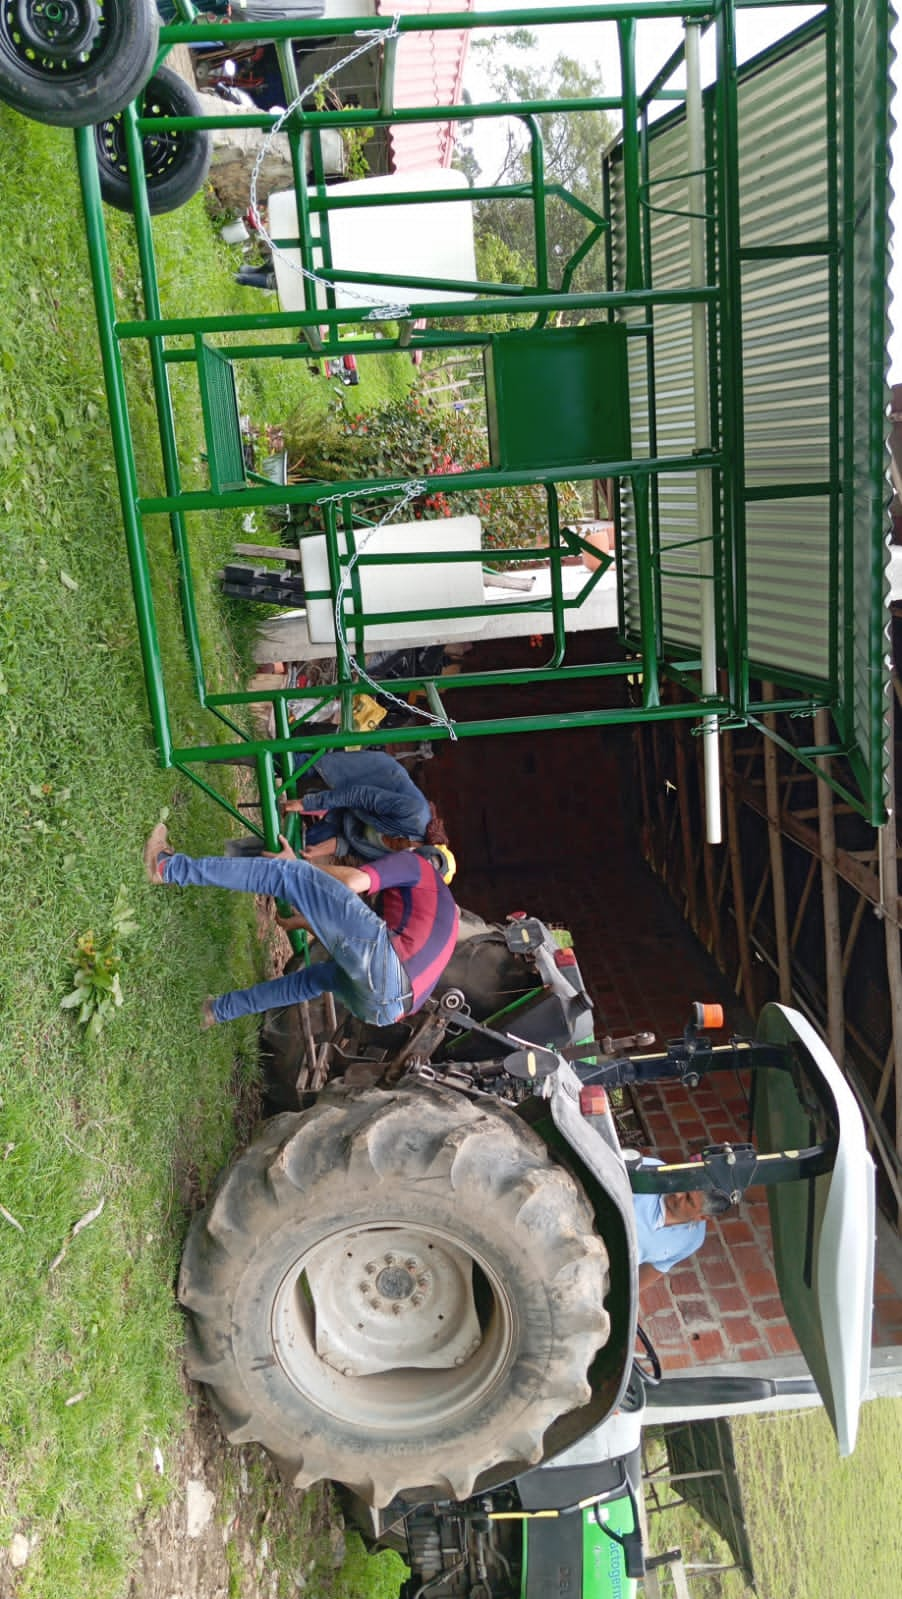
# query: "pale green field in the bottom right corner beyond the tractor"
(820, 1528)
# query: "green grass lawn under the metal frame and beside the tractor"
(127, 1128)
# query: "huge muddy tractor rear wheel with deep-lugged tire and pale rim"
(399, 1291)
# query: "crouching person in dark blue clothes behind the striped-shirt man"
(369, 808)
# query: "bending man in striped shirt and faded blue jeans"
(380, 968)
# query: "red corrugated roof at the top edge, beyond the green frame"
(429, 71)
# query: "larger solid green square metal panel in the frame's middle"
(557, 397)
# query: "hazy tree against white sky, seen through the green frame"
(573, 146)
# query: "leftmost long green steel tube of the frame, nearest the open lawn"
(124, 452)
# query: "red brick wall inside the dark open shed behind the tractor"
(548, 824)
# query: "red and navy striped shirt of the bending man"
(420, 914)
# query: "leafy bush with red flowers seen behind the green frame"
(410, 441)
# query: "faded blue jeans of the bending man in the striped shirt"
(364, 971)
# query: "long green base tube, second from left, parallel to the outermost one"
(164, 402)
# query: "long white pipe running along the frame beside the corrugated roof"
(698, 279)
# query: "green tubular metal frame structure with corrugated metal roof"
(701, 520)
